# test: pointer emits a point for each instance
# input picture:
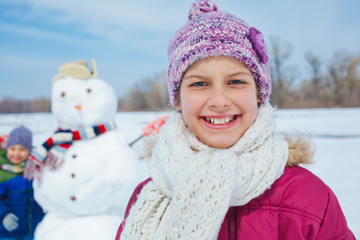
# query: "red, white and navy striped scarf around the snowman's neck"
(56, 146)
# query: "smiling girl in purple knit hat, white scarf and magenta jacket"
(218, 170)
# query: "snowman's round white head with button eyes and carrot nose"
(80, 103)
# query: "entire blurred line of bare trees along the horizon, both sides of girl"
(336, 84)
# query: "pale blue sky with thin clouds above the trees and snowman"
(128, 39)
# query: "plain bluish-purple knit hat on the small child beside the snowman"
(21, 136)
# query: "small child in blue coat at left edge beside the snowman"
(19, 213)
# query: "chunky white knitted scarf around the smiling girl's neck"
(194, 185)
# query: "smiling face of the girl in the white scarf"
(218, 100)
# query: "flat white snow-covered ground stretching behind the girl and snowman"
(335, 133)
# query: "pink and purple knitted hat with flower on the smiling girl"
(210, 32)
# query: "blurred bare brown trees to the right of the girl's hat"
(337, 86)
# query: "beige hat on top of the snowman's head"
(77, 69)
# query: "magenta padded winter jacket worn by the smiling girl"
(297, 206)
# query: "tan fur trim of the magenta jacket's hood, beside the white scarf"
(301, 149)
